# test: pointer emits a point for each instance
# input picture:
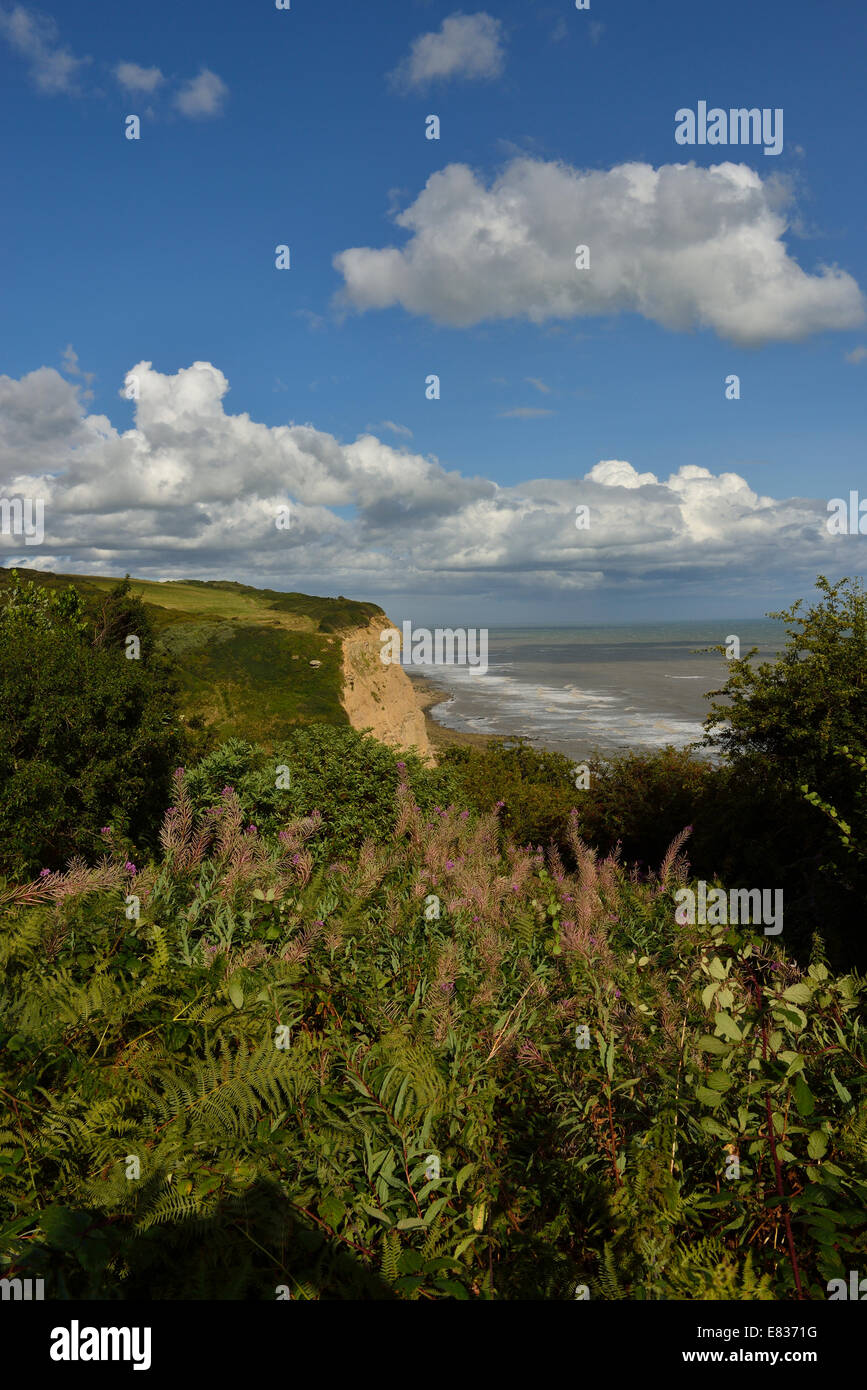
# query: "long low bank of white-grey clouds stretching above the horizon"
(195, 491)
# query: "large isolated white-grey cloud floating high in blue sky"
(684, 247)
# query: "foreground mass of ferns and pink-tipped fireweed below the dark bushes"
(247, 1089)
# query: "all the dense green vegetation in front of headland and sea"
(342, 1025)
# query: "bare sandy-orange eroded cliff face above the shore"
(380, 697)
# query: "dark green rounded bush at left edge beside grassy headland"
(88, 739)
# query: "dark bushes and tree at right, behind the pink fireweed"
(793, 736)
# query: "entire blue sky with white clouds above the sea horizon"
(267, 127)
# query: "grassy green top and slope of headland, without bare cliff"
(244, 655)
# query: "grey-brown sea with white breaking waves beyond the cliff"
(605, 690)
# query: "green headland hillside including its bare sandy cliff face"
(245, 655)
